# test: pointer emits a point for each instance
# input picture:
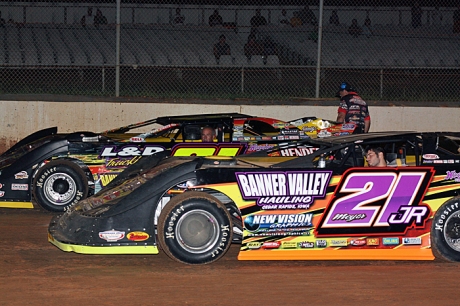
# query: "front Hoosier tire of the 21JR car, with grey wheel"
(195, 228)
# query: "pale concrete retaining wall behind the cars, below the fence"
(20, 118)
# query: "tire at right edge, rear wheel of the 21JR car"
(445, 231)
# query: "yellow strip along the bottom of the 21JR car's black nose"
(86, 249)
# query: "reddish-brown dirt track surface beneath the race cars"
(34, 272)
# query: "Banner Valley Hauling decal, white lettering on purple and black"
(283, 190)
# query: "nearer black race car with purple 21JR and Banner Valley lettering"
(326, 205)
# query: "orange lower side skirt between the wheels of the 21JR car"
(408, 254)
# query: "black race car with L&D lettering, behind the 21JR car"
(58, 170)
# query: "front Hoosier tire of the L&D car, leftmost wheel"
(59, 184)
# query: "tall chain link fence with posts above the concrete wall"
(203, 51)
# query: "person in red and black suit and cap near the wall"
(353, 108)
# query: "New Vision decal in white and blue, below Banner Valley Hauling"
(280, 222)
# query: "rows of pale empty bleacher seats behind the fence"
(191, 45)
